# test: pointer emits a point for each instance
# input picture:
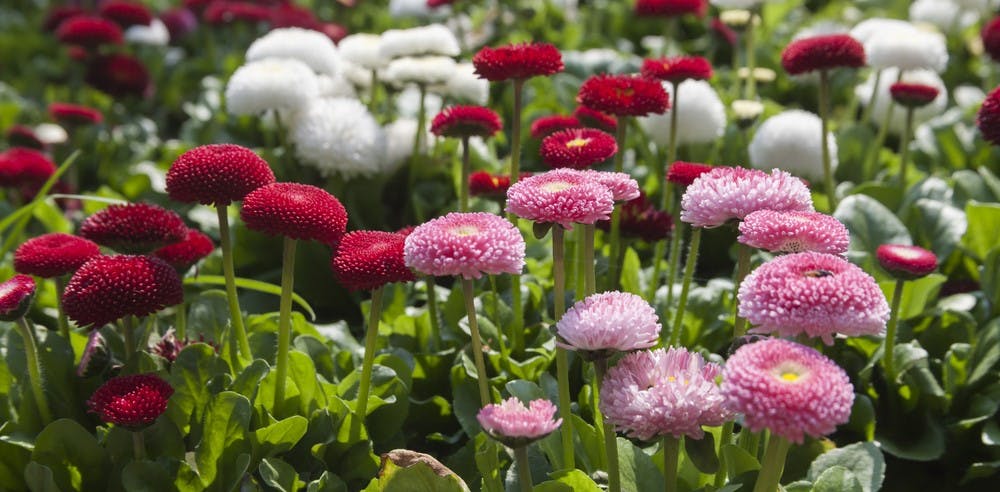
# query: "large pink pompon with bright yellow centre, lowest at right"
(790, 389)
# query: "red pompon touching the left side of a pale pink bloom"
(367, 260)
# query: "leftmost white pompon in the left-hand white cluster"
(273, 83)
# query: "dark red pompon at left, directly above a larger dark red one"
(136, 228)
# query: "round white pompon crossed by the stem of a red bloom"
(790, 141)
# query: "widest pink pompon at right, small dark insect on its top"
(815, 294)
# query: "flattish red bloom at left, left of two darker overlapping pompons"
(53, 255)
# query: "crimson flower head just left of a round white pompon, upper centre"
(624, 95)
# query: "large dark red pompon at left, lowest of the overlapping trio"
(107, 288)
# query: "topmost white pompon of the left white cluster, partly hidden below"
(313, 48)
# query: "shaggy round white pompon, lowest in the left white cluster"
(339, 136)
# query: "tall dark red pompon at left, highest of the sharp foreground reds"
(217, 174)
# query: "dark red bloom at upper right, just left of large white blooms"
(822, 53)
